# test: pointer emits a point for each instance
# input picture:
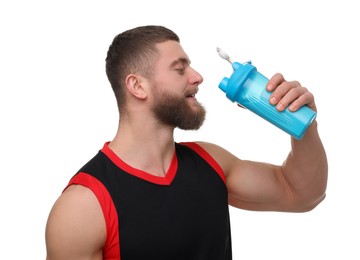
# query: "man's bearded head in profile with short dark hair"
(154, 54)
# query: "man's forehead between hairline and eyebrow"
(171, 52)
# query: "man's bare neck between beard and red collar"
(144, 144)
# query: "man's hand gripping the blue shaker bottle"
(289, 94)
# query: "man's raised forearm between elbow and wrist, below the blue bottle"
(306, 168)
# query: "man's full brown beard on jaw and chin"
(176, 111)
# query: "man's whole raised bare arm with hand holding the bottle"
(297, 185)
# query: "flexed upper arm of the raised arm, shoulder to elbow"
(252, 185)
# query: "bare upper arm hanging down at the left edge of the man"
(76, 226)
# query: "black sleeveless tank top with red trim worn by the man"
(182, 216)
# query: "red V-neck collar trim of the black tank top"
(161, 180)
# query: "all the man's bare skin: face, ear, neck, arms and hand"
(76, 226)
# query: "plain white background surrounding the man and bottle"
(57, 107)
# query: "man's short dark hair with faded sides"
(134, 51)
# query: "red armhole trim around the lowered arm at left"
(112, 244)
